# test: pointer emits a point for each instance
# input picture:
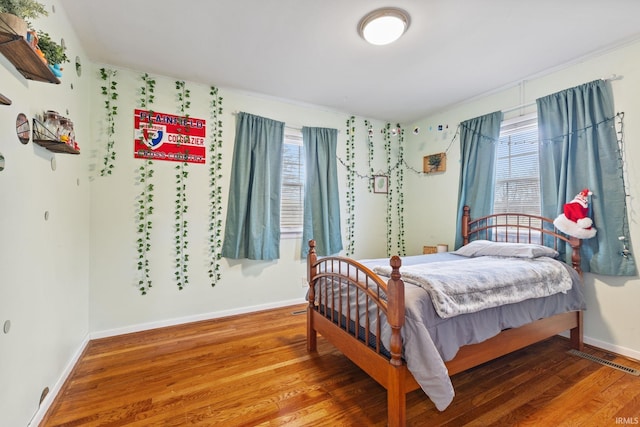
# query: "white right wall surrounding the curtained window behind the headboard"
(612, 319)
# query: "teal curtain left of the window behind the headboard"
(478, 142)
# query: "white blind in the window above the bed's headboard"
(517, 186)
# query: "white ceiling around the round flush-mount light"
(309, 51)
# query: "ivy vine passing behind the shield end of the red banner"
(144, 209)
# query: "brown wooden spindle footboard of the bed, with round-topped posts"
(349, 305)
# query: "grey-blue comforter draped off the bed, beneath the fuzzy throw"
(429, 339)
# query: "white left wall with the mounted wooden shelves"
(44, 264)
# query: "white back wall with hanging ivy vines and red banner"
(115, 302)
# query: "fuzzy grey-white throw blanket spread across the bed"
(474, 284)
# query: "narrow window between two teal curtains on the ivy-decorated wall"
(292, 198)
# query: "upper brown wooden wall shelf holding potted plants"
(16, 49)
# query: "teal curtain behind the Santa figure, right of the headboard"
(579, 149)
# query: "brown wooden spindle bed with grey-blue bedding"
(390, 327)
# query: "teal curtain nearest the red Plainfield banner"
(252, 229)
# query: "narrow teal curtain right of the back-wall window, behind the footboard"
(322, 196)
